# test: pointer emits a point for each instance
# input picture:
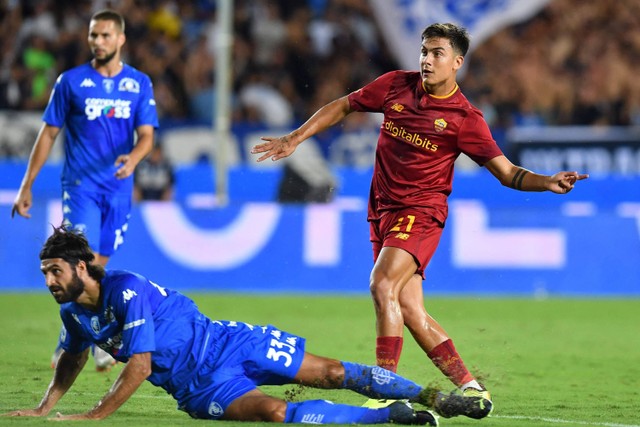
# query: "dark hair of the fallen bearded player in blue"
(73, 247)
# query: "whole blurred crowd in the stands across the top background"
(574, 63)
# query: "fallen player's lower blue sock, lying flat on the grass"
(325, 412)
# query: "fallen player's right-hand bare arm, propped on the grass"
(137, 369)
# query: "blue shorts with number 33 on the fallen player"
(248, 356)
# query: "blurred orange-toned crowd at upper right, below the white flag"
(572, 64)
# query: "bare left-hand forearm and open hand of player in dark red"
(281, 147)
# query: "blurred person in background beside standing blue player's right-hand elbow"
(154, 177)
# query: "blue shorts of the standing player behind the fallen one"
(103, 218)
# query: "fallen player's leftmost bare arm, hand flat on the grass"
(67, 369)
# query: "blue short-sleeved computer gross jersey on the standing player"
(99, 115)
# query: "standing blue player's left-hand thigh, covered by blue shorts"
(81, 211)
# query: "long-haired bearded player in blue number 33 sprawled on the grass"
(211, 367)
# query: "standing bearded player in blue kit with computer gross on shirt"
(103, 105)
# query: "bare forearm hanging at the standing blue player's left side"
(39, 154)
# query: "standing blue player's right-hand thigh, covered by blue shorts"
(115, 211)
